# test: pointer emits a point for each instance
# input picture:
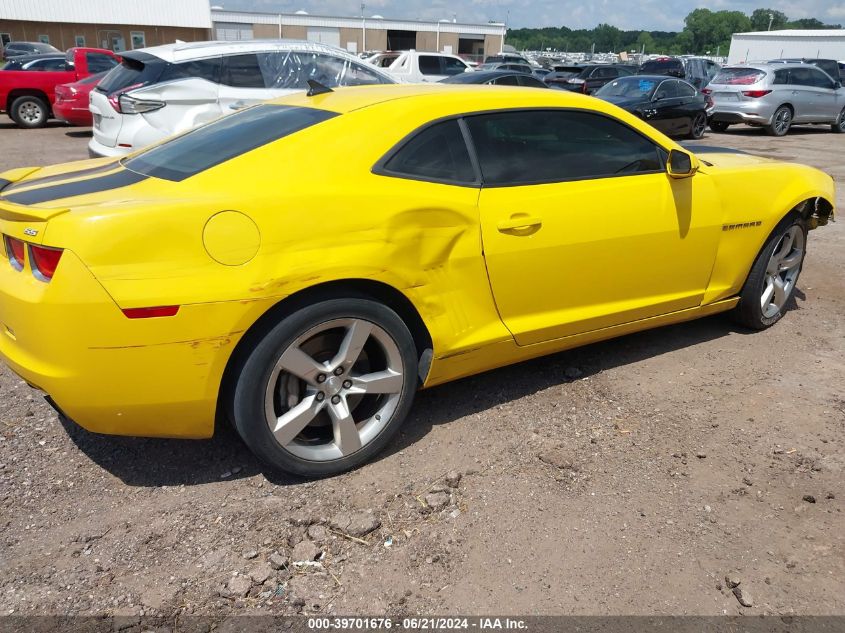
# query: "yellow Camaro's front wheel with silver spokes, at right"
(773, 276)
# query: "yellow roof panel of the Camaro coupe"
(459, 97)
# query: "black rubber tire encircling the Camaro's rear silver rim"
(247, 399)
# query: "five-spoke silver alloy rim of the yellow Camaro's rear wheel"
(334, 389)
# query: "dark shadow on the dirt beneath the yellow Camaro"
(149, 462)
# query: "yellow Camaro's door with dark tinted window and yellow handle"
(582, 227)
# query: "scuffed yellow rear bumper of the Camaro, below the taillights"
(155, 377)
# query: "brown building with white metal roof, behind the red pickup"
(112, 24)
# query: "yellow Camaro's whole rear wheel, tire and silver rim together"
(326, 389)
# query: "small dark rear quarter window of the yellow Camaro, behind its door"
(438, 153)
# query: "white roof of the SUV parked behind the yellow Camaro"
(185, 51)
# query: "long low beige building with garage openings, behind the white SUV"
(359, 34)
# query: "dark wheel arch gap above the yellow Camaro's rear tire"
(336, 289)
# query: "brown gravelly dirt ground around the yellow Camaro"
(628, 477)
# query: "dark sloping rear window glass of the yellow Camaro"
(223, 139)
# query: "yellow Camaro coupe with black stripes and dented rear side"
(303, 266)
